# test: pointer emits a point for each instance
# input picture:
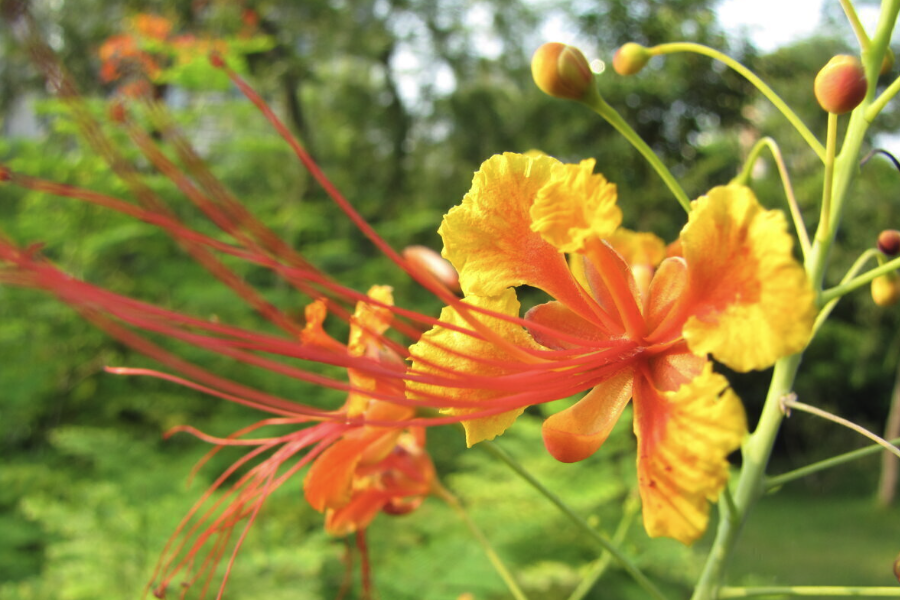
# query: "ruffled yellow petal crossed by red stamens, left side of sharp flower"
(446, 353)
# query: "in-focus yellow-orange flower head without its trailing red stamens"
(625, 323)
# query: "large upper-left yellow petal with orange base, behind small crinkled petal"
(488, 238)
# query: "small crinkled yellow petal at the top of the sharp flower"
(575, 205)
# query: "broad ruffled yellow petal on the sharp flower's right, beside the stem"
(753, 301)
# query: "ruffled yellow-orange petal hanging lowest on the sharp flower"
(684, 438)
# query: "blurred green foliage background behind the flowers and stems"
(399, 101)
